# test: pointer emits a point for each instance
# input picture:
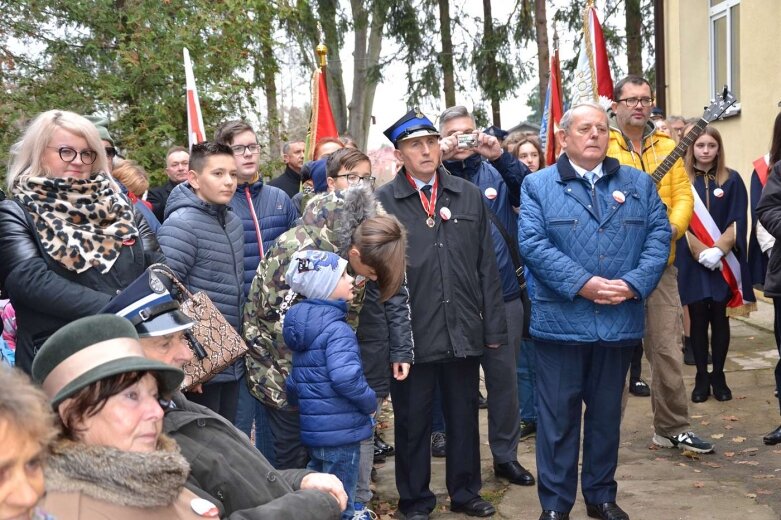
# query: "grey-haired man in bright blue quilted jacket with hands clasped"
(596, 237)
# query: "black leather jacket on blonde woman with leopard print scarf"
(45, 295)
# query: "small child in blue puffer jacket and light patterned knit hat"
(327, 382)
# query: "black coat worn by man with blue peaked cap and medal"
(453, 279)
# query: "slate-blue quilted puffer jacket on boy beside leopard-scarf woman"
(204, 245)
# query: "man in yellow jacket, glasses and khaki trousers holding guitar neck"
(635, 142)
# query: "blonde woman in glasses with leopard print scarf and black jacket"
(69, 239)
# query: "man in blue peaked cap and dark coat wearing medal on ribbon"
(457, 312)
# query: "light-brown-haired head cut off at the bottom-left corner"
(26, 430)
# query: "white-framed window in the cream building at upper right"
(725, 46)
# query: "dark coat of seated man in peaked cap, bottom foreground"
(227, 469)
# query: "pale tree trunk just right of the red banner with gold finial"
(368, 45)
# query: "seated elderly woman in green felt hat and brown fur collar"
(111, 459)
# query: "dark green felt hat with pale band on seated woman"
(94, 348)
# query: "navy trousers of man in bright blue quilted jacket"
(568, 376)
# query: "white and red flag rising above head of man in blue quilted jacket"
(592, 81)
